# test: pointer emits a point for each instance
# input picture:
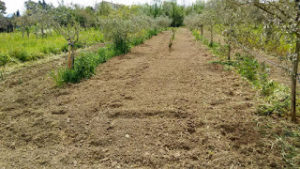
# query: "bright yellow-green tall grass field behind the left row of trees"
(19, 49)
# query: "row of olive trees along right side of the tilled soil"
(273, 26)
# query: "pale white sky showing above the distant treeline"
(14, 5)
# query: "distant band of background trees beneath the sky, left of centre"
(38, 16)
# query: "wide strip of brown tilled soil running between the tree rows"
(152, 108)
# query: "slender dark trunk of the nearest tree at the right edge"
(294, 81)
